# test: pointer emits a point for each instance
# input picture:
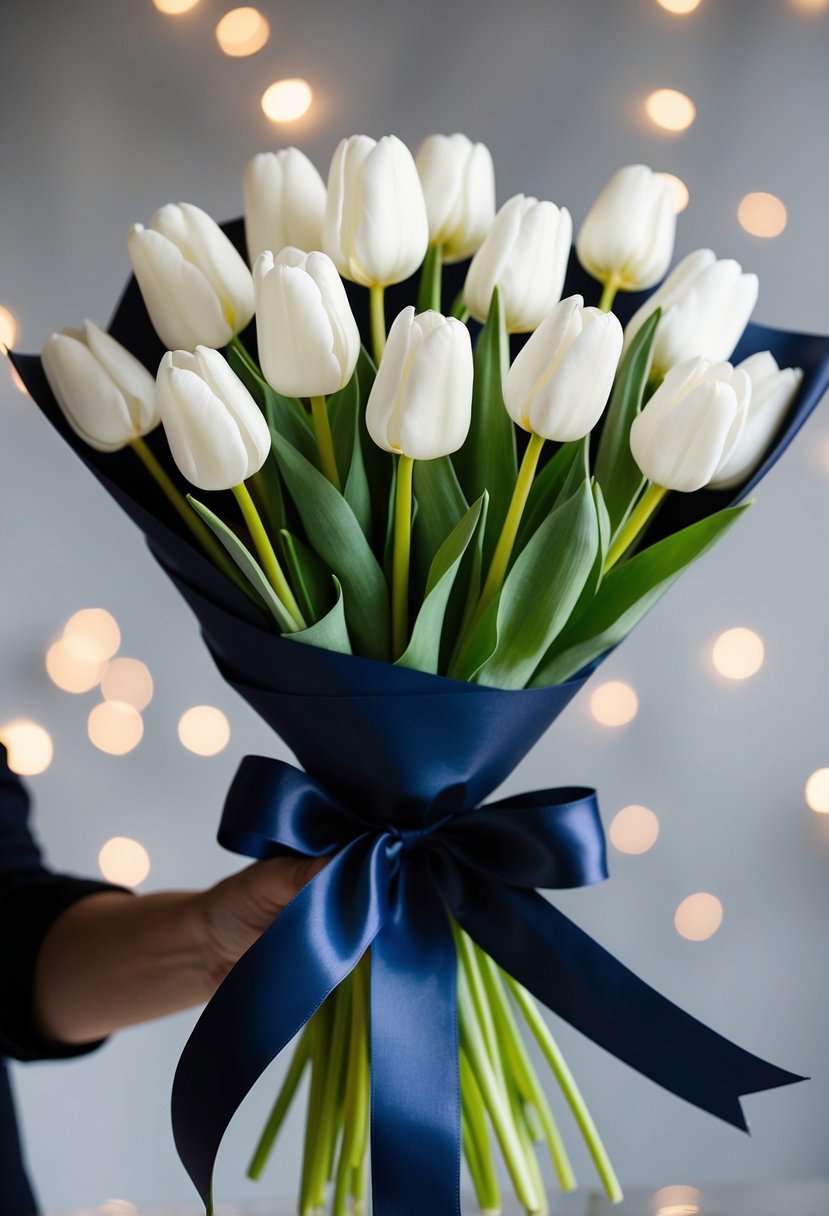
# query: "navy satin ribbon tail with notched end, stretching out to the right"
(583, 983)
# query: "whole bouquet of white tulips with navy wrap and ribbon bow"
(442, 525)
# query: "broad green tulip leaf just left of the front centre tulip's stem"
(334, 532)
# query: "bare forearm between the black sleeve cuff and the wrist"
(114, 960)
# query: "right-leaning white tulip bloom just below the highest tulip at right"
(707, 305)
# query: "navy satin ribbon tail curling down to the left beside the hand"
(268, 998)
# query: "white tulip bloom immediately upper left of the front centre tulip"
(309, 342)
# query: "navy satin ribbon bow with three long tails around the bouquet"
(392, 888)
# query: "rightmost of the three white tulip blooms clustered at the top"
(459, 185)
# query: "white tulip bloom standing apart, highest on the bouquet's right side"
(628, 237)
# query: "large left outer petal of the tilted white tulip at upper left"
(182, 305)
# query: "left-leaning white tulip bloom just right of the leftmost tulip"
(216, 430)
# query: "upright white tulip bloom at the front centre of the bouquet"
(421, 403)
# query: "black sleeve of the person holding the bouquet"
(31, 900)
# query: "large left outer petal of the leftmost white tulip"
(92, 402)
